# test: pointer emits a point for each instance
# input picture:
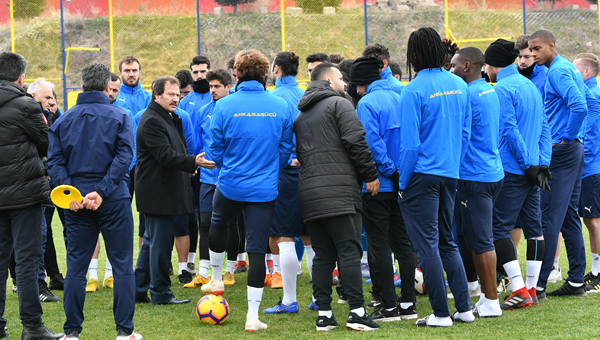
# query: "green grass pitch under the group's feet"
(575, 318)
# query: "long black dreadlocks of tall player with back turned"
(425, 50)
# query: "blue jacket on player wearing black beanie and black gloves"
(524, 130)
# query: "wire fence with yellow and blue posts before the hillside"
(59, 38)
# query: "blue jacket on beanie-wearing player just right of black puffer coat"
(379, 112)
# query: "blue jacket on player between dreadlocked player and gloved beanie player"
(482, 162)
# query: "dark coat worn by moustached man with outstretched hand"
(162, 173)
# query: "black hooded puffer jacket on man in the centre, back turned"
(334, 156)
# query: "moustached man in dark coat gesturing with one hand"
(162, 187)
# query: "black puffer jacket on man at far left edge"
(23, 144)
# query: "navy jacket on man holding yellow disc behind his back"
(91, 147)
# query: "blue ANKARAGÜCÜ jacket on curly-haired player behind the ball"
(251, 141)
